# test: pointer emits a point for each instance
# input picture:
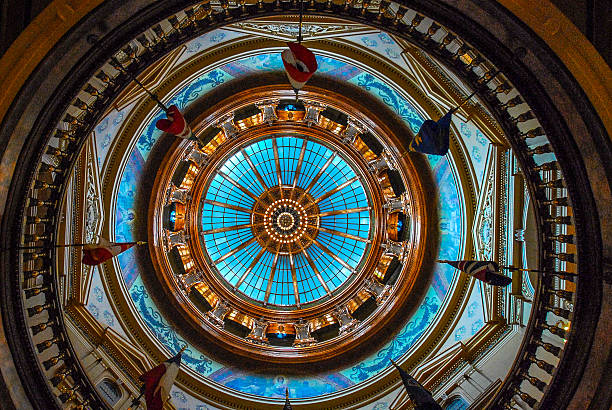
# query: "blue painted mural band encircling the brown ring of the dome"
(273, 385)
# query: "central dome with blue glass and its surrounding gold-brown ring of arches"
(293, 235)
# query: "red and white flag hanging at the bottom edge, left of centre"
(159, 380)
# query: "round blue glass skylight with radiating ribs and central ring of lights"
(286, 221)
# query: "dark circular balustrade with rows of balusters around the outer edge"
(544, 339)
